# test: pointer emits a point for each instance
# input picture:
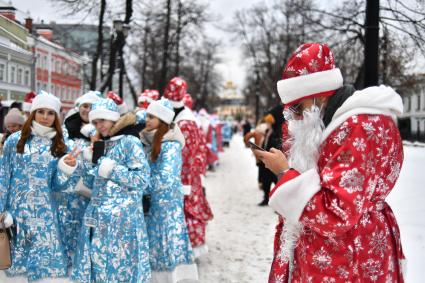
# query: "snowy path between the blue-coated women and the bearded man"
(240, 237)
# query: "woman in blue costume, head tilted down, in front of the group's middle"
(113, 242)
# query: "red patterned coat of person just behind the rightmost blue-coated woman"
(196, 208)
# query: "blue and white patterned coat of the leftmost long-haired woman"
(26, 184)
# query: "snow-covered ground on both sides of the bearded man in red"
(240, 238)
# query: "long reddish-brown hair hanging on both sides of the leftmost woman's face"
(58, 148)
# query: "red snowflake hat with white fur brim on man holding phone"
(310, 72)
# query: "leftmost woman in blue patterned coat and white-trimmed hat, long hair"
(34, 165)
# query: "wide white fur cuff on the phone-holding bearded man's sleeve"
(290, 198)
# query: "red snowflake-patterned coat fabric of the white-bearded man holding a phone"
(350, 233)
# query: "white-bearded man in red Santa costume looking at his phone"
(345, 155)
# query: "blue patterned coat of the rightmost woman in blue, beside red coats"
(168, 237)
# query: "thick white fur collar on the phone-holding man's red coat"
(372, 100)
